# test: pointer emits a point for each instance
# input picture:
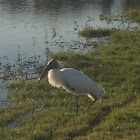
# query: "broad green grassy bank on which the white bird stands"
(40, 111)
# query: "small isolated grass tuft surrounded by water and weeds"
(90, 32)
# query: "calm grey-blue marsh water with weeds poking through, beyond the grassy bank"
(30, 29)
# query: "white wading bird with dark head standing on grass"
(72, 81)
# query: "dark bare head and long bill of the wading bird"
(52, 64)
